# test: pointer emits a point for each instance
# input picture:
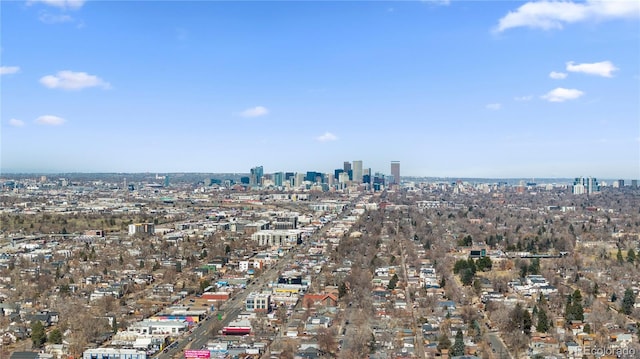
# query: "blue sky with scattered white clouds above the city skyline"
(449, 88)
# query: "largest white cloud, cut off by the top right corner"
(549, 15)
